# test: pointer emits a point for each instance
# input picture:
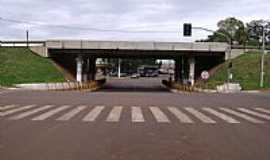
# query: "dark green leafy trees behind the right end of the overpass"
(249, 34)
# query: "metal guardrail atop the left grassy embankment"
(21, 43)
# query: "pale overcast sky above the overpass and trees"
(127, 15)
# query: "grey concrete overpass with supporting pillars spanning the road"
(82, 54)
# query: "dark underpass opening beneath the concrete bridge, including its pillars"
(180, 66)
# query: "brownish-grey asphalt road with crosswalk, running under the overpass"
(115, 123)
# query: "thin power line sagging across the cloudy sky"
(82, 28)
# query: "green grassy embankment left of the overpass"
(20, 65)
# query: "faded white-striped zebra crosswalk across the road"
(136, 114)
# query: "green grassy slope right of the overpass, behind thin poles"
(246, 71)
